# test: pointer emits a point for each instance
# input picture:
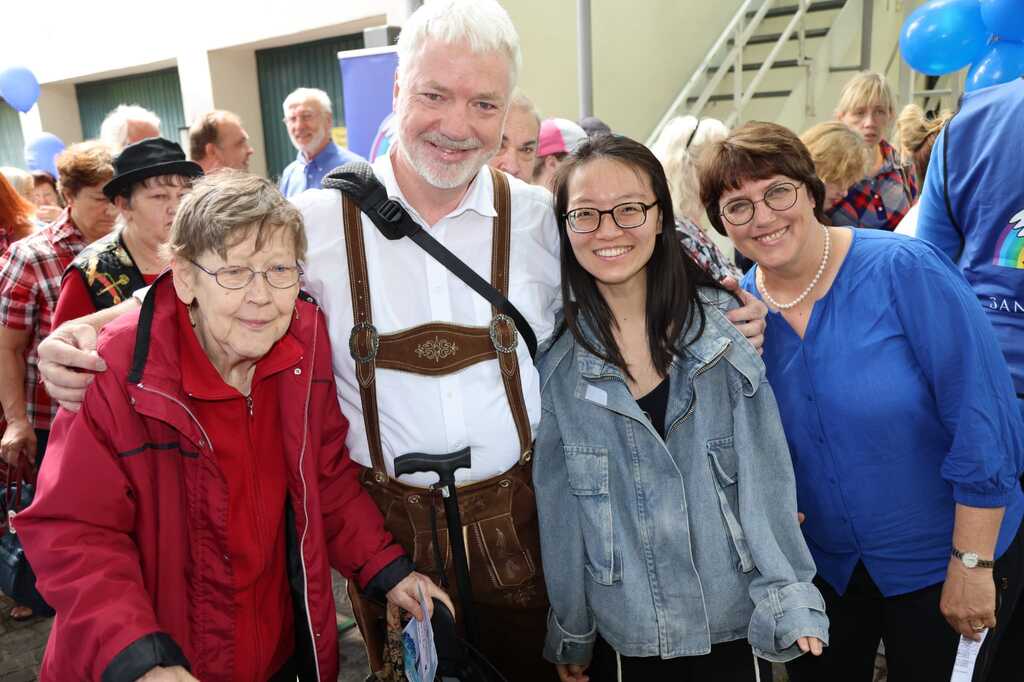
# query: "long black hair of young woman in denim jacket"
(673, 308)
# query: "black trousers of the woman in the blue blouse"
(920, 644)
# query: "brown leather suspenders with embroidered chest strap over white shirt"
(437, 349)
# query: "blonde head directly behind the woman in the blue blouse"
(840, 156)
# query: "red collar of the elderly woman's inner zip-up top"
(201, 380)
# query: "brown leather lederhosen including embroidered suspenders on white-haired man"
(499, 515)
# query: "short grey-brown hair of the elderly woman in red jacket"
(225, 208)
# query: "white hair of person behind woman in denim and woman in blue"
(678, 148)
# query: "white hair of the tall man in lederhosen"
(484, 25)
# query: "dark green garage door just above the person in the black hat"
(160, 92)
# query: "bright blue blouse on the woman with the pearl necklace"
(897, 405)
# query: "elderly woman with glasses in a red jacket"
(187, 520)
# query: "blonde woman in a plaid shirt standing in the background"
(882, 198)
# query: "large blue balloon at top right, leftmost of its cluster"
(944, 36)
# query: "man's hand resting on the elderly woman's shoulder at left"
(67, 362)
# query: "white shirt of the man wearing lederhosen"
(437, 415)
